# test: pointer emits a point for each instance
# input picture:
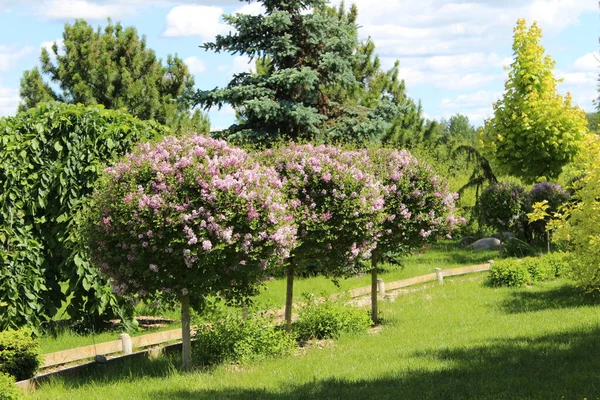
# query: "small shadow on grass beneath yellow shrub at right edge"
(567, 296)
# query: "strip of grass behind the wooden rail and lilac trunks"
(445, 255)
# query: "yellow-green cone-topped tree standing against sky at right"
(534, 131)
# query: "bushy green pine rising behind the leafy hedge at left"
(112, 67)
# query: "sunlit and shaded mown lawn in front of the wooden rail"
(458, 341)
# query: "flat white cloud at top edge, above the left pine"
(89, 10)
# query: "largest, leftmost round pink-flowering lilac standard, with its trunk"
(187, 218)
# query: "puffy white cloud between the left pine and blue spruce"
(194, 20)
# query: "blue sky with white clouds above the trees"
(452, 53)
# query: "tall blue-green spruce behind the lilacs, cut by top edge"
(308, 61)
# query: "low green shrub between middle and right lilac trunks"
(328, 320)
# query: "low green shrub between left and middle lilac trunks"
(232, 338)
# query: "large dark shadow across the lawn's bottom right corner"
(558, 366)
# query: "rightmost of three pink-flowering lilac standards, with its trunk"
(418, 207)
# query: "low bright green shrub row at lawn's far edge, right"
(518, 273)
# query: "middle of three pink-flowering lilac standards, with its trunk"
(337, 206)
